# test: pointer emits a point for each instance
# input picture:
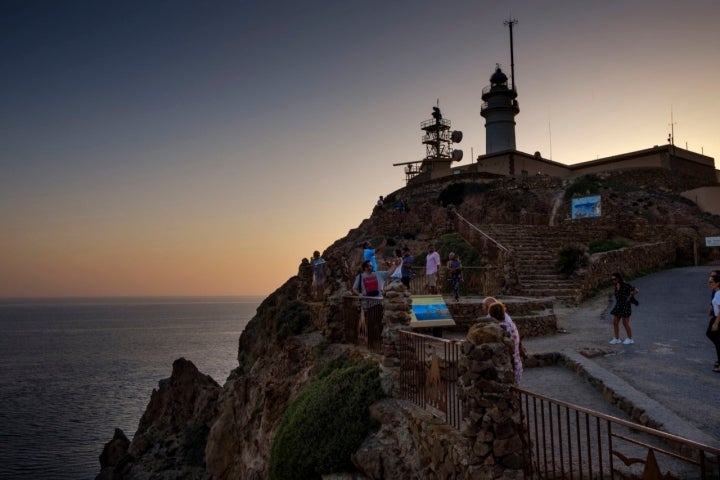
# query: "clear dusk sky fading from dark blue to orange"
(153, 147)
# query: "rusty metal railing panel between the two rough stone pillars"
(429, 373)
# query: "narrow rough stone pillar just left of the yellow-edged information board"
(396, 316)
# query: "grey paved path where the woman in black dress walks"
(667, 372)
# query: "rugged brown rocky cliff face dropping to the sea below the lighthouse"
(194, 428)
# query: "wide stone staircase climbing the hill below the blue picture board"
(535, 250)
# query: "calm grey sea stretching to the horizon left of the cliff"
(71, 370)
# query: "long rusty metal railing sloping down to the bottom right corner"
(567, 441)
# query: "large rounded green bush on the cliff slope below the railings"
(326, 423)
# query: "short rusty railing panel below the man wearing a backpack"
(363, 321)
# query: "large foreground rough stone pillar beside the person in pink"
(494, 419)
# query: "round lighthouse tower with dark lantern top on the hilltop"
(499, 109)
